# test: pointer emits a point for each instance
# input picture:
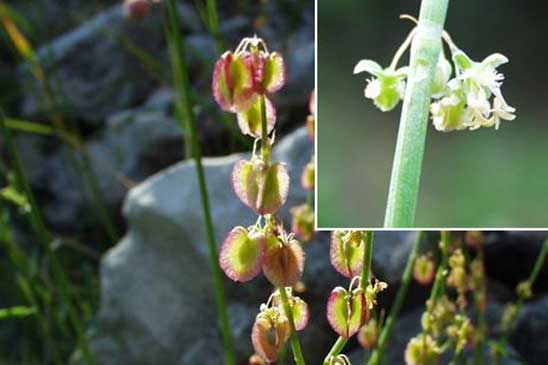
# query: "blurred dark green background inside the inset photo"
(485, 178)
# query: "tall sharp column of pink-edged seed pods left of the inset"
(242, 82)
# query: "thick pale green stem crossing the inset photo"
(425, 49)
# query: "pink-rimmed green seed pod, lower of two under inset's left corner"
(346, 312)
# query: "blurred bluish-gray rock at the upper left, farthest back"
(92, 72)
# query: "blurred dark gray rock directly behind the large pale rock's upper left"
(135, 144)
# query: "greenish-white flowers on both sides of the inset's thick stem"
(471, 99)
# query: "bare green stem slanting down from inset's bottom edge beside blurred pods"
(386, 331)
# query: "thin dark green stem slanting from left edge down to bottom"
(44, 235)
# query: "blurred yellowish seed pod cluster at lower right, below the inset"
(445, 323)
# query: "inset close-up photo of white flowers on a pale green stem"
(431, 114)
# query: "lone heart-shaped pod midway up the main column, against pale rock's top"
(261, 187)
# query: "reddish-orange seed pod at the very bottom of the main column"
(270, 332)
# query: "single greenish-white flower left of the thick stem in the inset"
(387, 87)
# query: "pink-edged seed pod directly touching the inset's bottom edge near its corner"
(346, 256)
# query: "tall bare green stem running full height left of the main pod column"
(182, 85)
